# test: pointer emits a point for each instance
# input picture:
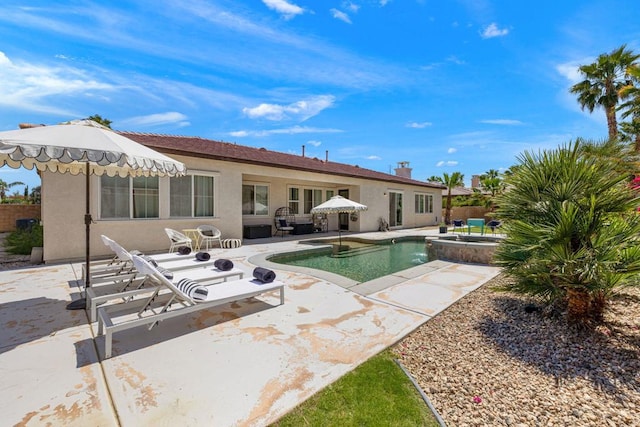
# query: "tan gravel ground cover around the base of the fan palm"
(486, 361)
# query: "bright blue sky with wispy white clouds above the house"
(448, 86)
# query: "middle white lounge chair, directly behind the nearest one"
(131, 283)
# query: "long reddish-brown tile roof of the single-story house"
(205, 148)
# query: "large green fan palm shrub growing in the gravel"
(572, 226)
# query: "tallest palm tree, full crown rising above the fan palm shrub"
(603, 81)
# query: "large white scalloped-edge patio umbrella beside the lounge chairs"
(83, 146)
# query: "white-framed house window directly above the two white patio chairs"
(191, 196)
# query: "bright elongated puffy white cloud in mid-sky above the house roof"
(300, 110)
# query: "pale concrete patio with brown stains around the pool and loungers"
(241, 364)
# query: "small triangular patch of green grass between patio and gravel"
(377, 393)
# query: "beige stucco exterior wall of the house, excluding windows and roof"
(63, 201)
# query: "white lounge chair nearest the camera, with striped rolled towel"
(171, 299)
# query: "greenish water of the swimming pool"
(361, 262)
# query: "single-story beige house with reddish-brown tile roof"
(229, 186)
